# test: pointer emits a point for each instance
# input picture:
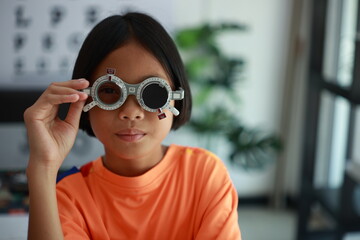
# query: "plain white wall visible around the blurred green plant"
(264, 48)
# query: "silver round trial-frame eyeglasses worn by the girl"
(153, 94)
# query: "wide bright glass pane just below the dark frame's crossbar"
(331, 141)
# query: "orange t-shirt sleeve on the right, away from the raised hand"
(218, 206)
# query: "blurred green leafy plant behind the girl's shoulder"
(213, 76)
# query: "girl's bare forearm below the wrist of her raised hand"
(44, 221)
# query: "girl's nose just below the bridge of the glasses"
(131, 110)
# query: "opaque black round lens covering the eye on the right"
(154, 96)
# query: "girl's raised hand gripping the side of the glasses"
(51, 138)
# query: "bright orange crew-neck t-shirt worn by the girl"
(188, 195)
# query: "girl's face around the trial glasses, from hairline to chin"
(130, 131)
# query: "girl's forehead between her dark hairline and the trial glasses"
(133, 64)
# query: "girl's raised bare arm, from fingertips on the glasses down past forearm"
(50, 140)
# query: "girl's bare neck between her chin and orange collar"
(132, 166)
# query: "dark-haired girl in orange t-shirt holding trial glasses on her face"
(139, 189)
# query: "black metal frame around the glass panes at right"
(337, 203)
